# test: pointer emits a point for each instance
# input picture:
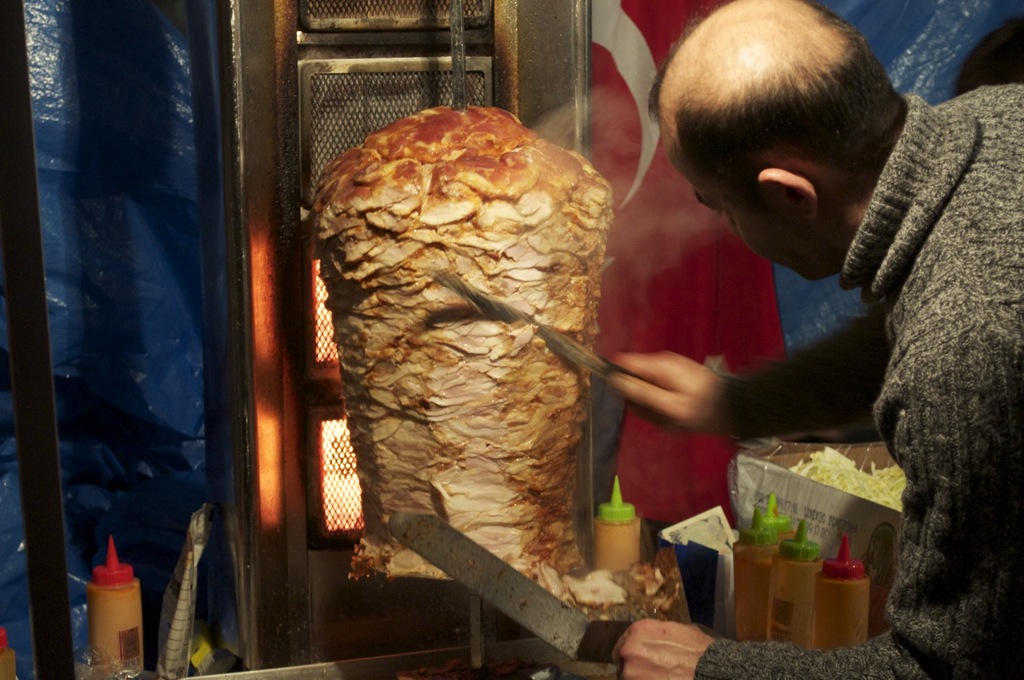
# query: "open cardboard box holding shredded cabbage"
(873, 529)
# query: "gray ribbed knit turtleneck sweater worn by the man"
(943, 246)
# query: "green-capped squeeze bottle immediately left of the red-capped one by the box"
(791, 614)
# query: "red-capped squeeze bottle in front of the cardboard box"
(842, 596)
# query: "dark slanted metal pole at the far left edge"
(32, 377)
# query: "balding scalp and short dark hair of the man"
(766, 76)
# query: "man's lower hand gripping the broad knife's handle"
(666, 650)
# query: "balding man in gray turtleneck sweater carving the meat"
(779, 116)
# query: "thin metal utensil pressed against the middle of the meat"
(560, 344)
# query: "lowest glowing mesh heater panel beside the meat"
(342, 495)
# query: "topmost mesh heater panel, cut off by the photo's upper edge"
(396, 14)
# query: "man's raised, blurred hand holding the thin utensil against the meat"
(675, 393)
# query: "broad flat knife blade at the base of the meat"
(518, 597)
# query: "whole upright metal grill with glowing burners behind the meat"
(303, 81)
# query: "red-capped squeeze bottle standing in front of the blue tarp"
(114, 601)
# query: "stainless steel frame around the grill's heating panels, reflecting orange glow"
(540, 53)
